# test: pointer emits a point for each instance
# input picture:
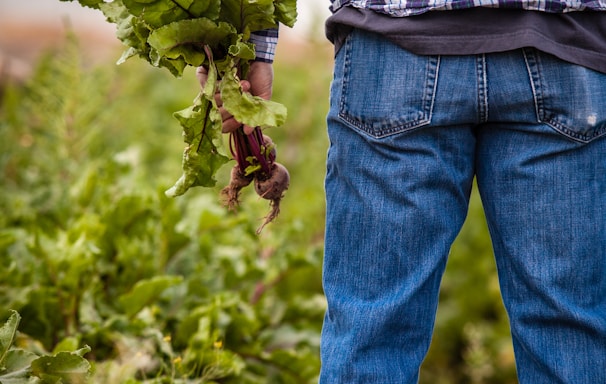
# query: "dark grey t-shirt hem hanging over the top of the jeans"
(577, 37)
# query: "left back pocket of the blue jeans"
(385, 89)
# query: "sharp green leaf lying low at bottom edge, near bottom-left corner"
(64, 367)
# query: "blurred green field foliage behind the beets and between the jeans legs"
(180, 290)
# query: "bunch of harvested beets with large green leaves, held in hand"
(175, 34)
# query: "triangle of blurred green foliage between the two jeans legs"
(472, 342)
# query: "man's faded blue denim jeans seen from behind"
(408, 134)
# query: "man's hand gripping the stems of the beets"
(258, 83)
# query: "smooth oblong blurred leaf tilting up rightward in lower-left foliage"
(145, 292)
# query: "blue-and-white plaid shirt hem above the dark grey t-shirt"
(400, 8)
